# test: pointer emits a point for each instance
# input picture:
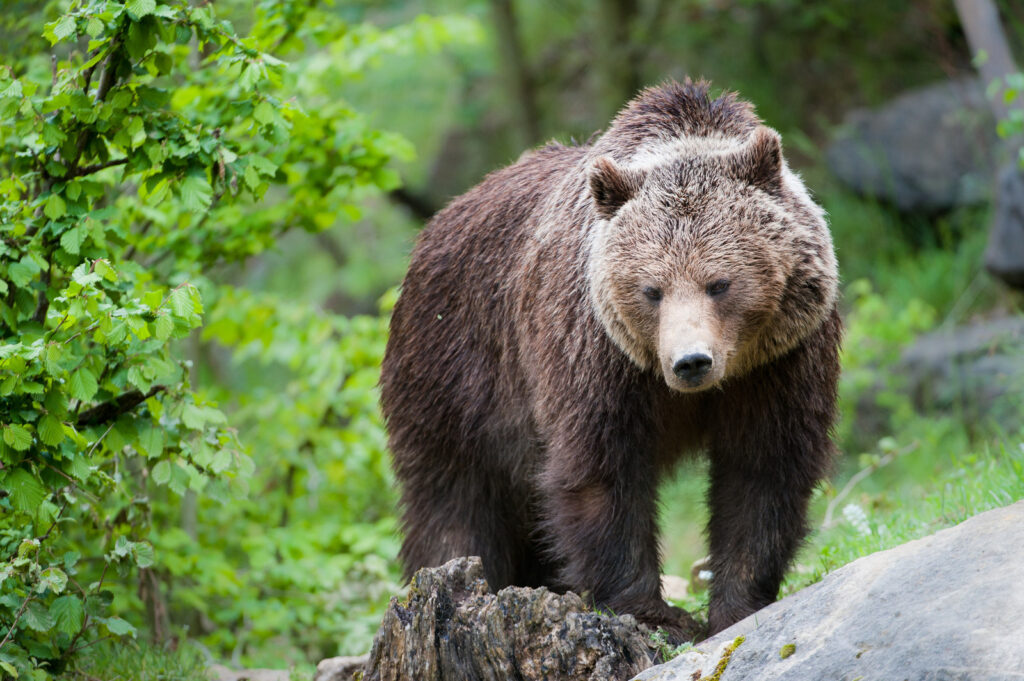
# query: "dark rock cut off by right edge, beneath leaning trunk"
(1005, 256)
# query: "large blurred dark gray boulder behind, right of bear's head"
(927, 151)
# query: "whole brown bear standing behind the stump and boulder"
(582, 319)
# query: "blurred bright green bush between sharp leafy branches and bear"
(312, 554)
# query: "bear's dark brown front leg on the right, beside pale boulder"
(771, 447)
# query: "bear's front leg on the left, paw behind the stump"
(601, 524)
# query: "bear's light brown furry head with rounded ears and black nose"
(708, 258)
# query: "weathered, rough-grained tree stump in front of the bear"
(453, 628)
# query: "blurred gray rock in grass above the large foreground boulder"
(976, 371)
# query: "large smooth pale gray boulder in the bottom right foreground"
(946, 608)
